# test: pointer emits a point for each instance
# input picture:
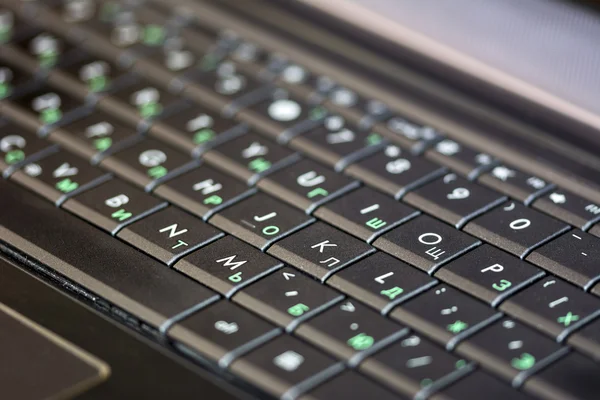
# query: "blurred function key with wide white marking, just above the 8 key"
(412, 135)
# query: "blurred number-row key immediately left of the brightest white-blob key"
(233, 88)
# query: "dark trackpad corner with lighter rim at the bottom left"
(37, 364)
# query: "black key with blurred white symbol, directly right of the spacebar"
(217, 331)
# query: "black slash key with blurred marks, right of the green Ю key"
(414, 364)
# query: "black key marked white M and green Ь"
(227, 265)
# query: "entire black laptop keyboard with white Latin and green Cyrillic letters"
(281, 227)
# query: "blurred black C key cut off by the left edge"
(16, 144)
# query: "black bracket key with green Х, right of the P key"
(553, 306)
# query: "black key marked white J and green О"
(260, 220)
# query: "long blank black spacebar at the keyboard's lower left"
(93, 259)
